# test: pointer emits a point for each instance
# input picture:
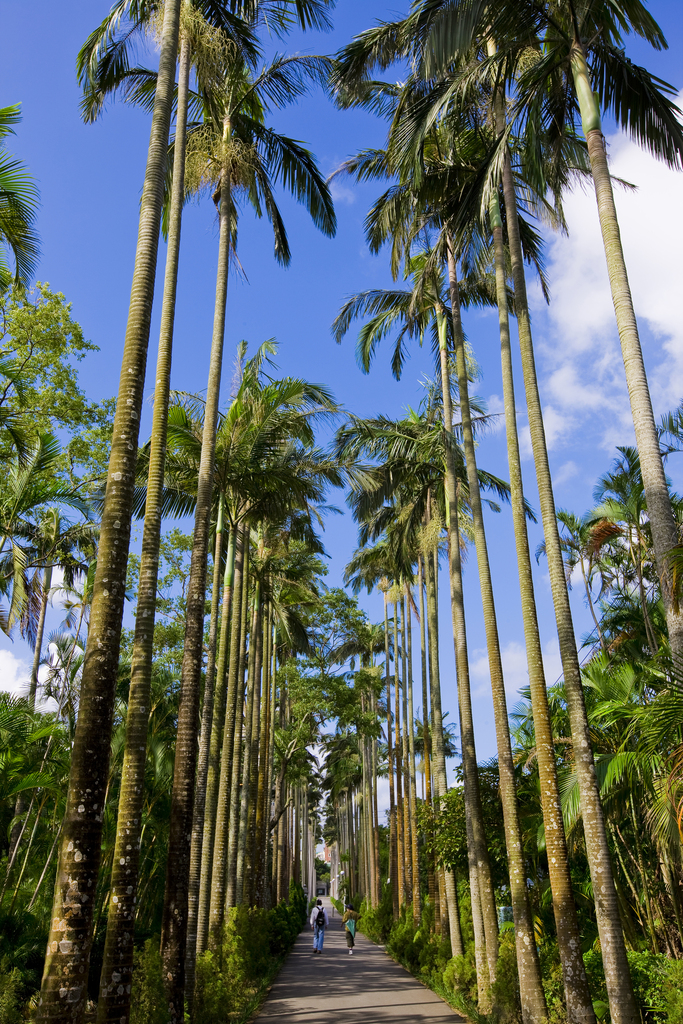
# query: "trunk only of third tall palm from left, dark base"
(175, 921)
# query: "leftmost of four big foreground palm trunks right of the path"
(472, 779)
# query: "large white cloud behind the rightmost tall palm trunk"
(581, 368)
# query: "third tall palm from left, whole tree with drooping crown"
(240, 155)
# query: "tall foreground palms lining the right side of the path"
(486, 124)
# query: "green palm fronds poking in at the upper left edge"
(19, 202)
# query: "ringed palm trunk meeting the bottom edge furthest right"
(618, 977)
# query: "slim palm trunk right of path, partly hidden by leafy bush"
(441, 786)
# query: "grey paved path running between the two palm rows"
(366, 989)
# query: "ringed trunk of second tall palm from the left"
(117, 972)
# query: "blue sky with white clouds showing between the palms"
(91, 180)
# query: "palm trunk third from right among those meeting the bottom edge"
(531, 987)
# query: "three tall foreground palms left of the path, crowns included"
(232, 150)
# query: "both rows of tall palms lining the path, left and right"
(482, 137)
